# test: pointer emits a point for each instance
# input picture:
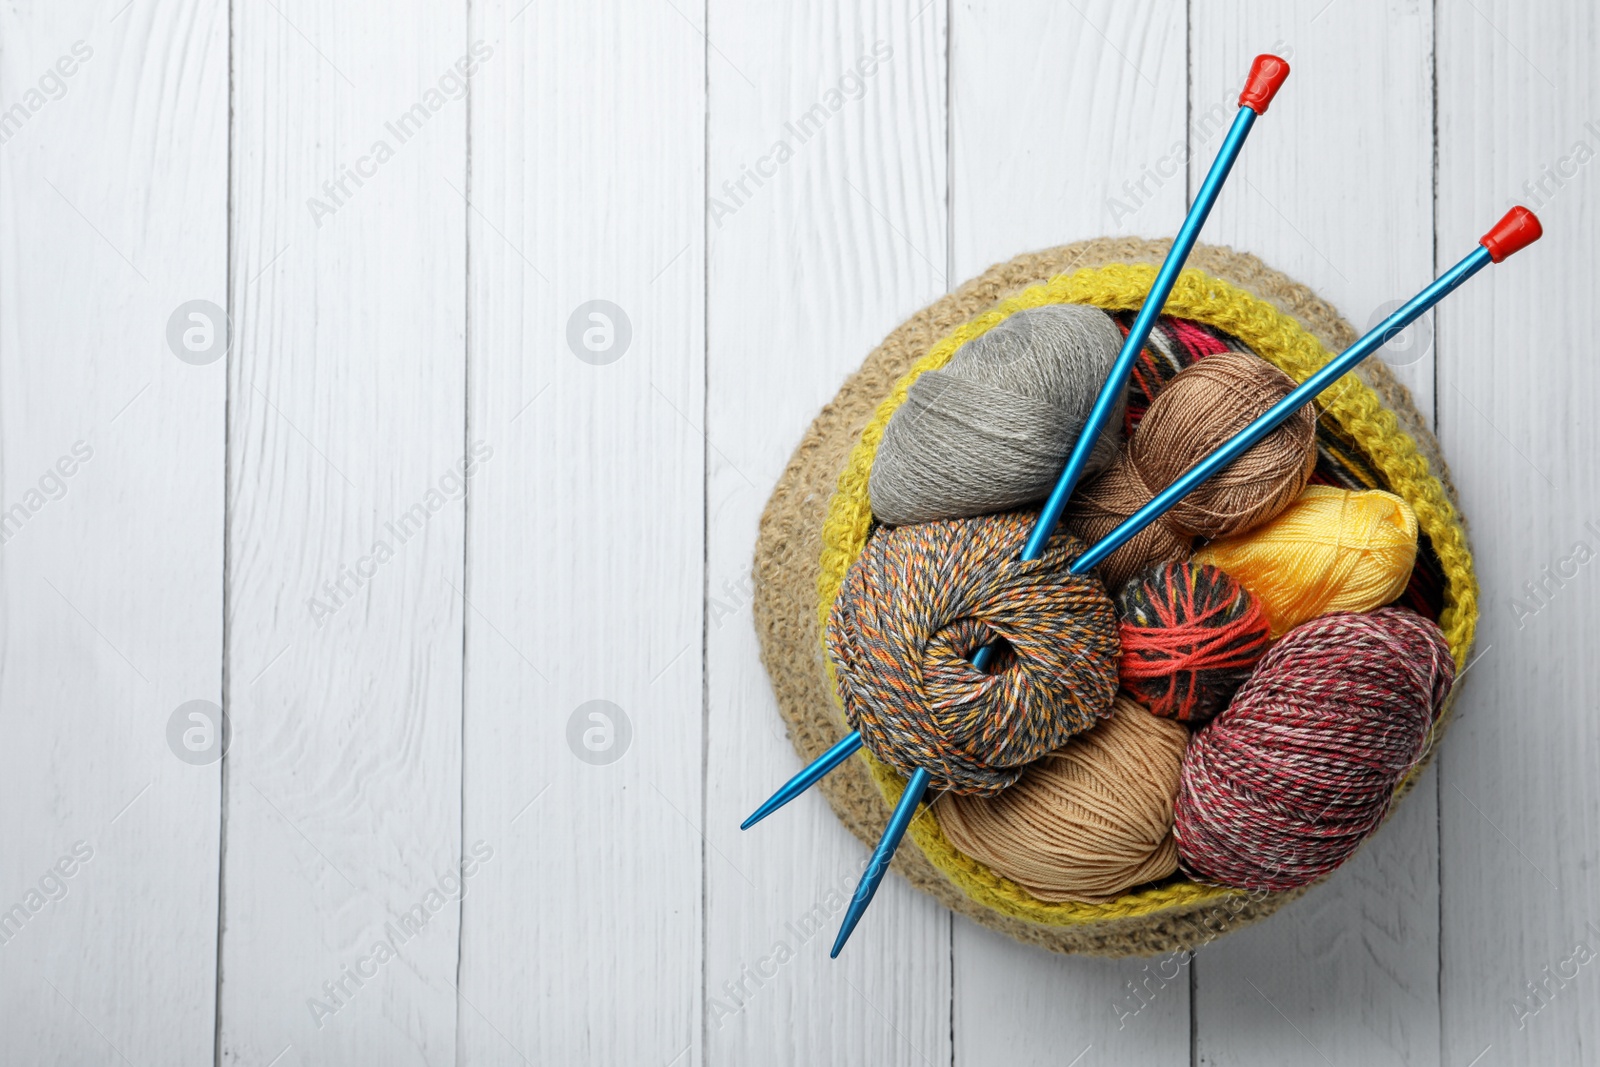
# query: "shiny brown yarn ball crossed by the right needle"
(1201, 410)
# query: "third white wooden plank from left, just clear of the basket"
(582, 940)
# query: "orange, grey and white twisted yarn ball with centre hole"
(921, 601)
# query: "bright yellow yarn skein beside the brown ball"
(1330, 551)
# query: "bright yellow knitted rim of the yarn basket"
(1274, 337)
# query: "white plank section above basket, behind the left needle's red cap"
(1337, 188)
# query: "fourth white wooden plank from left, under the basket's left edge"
(810, 270)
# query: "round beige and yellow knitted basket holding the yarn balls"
(818, 519)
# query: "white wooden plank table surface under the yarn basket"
(417, 511)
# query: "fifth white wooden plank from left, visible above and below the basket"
(1054, 108)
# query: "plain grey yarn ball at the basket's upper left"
(993, 430)
